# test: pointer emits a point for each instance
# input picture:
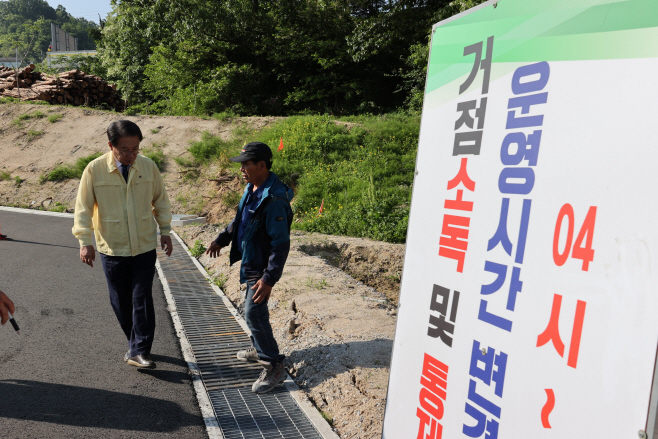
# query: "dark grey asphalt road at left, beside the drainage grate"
(64, 375)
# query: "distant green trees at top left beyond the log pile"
(26, 23)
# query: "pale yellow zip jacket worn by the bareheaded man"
(120, 215)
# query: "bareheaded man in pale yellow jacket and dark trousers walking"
(121, 197)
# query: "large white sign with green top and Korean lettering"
(529, 297)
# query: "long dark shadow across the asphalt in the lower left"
(87, 407)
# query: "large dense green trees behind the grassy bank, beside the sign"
(271, 57)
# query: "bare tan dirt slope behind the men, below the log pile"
(32, 146)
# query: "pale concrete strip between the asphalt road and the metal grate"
(207, 411)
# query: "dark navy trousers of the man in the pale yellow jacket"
(130, 281)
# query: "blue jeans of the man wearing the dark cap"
(258, 320)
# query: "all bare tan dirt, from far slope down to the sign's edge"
(333, 311)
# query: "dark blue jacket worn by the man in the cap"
(266, 239)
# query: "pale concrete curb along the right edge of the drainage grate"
(311, 412)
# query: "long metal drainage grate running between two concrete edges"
(215, 336)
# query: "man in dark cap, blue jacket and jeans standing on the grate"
(260, 237)
